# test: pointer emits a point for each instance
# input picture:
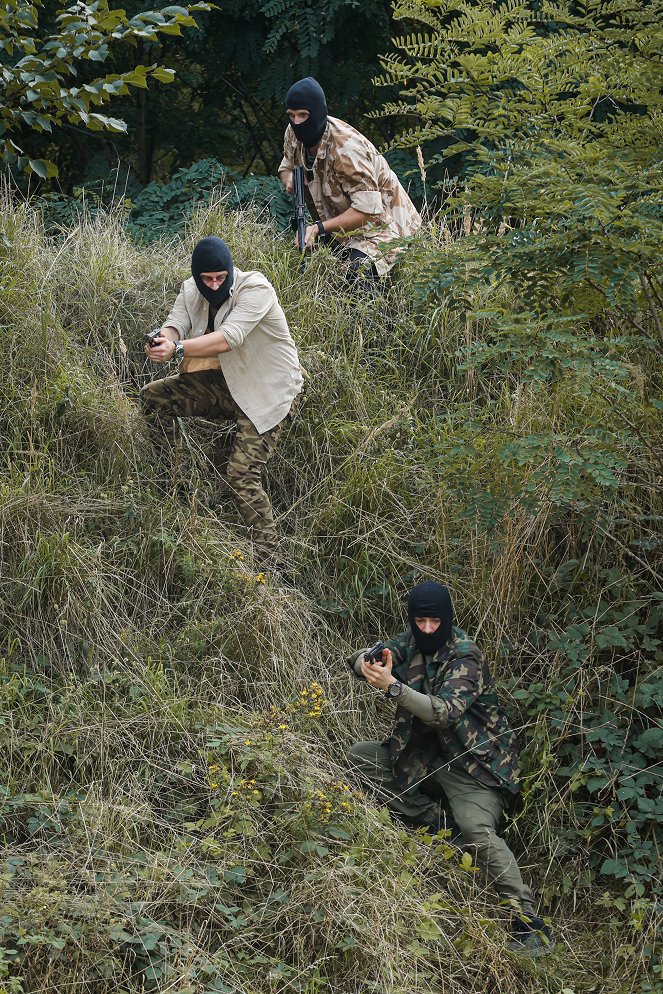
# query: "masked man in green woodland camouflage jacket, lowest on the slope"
(451, 741)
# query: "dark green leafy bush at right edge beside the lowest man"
(607, 748)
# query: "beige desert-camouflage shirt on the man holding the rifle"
(350, 172)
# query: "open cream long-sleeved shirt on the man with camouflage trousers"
(262, 368)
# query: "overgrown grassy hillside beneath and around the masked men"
(176, 809)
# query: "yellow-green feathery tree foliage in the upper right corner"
(556, 110)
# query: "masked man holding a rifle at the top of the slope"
(360, 201)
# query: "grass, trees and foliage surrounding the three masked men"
(176, 811)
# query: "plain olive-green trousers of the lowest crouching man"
(476, 809)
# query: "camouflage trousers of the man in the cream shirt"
(205, 394)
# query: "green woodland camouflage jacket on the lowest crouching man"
(469, 727)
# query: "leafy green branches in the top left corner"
(40, 87)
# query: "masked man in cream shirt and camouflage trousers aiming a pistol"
(238, 362)
